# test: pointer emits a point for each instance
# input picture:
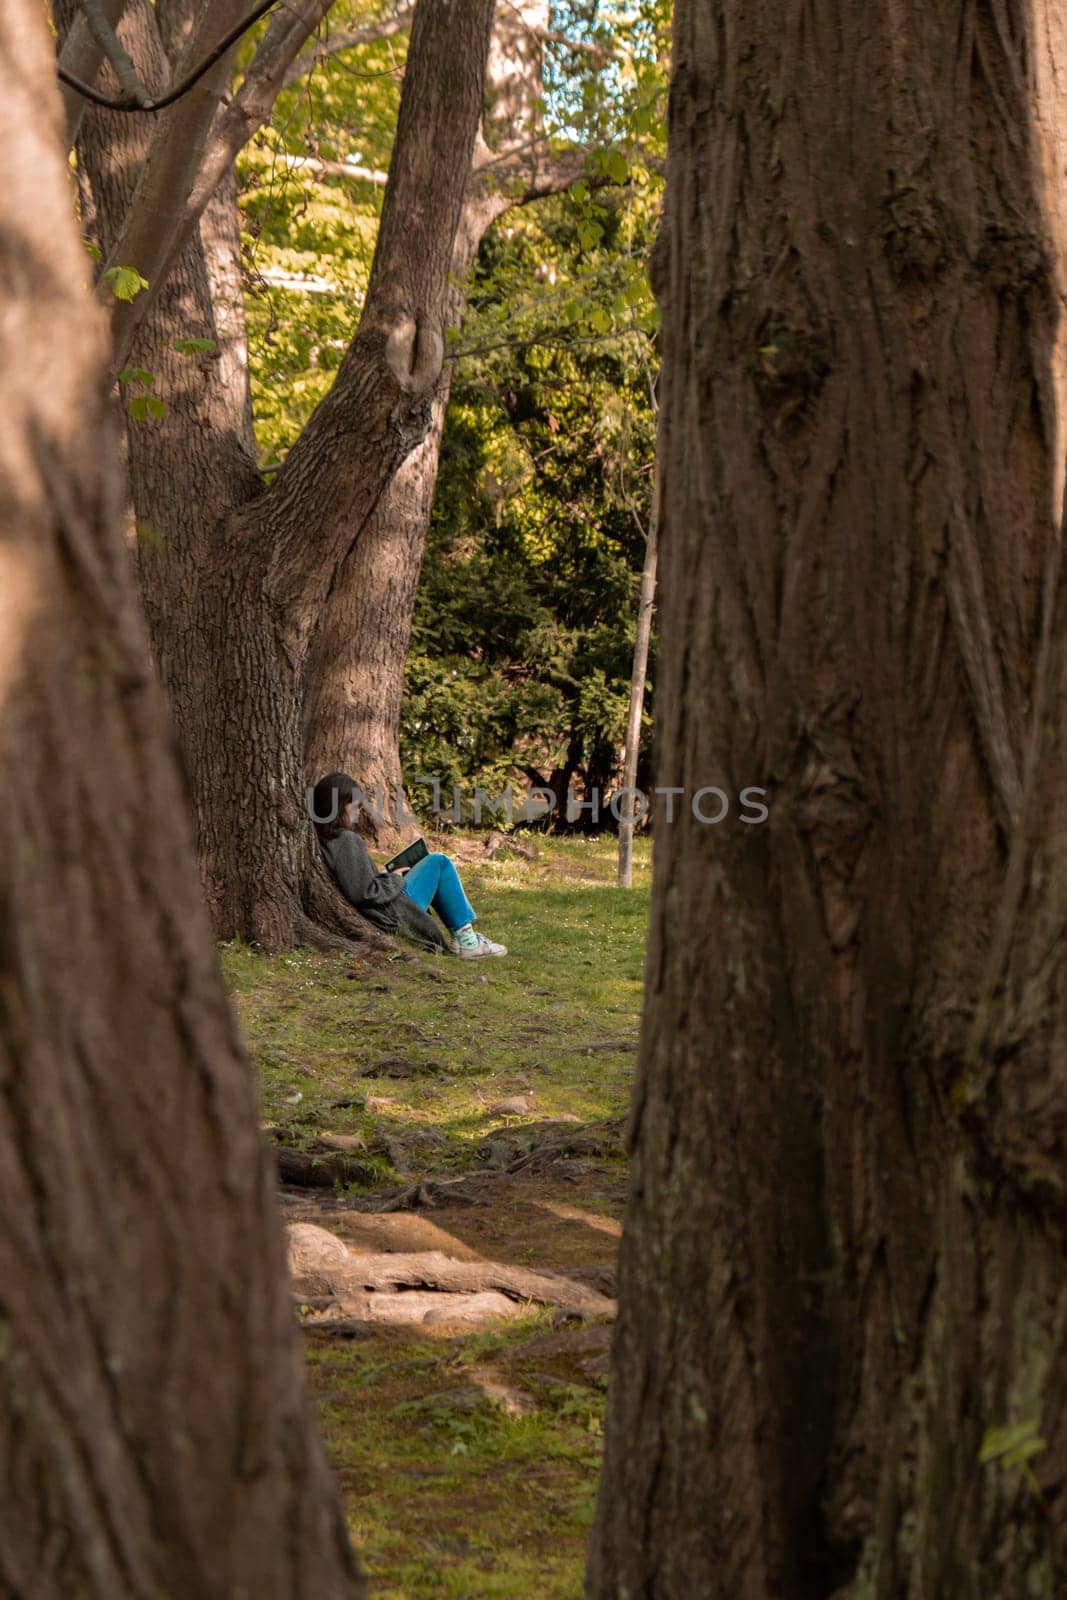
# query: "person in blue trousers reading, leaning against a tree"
(394, 902)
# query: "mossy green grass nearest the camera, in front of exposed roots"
(454, 1497)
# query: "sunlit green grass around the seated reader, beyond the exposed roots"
(474, 1033)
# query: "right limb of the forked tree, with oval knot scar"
(383, 390)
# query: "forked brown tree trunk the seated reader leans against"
(236, 575)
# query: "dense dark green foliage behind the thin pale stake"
(524, 633)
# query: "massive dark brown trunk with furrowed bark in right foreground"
(844, 1260)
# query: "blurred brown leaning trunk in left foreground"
(156, 1438)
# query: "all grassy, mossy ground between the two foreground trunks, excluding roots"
(468, 1463)
